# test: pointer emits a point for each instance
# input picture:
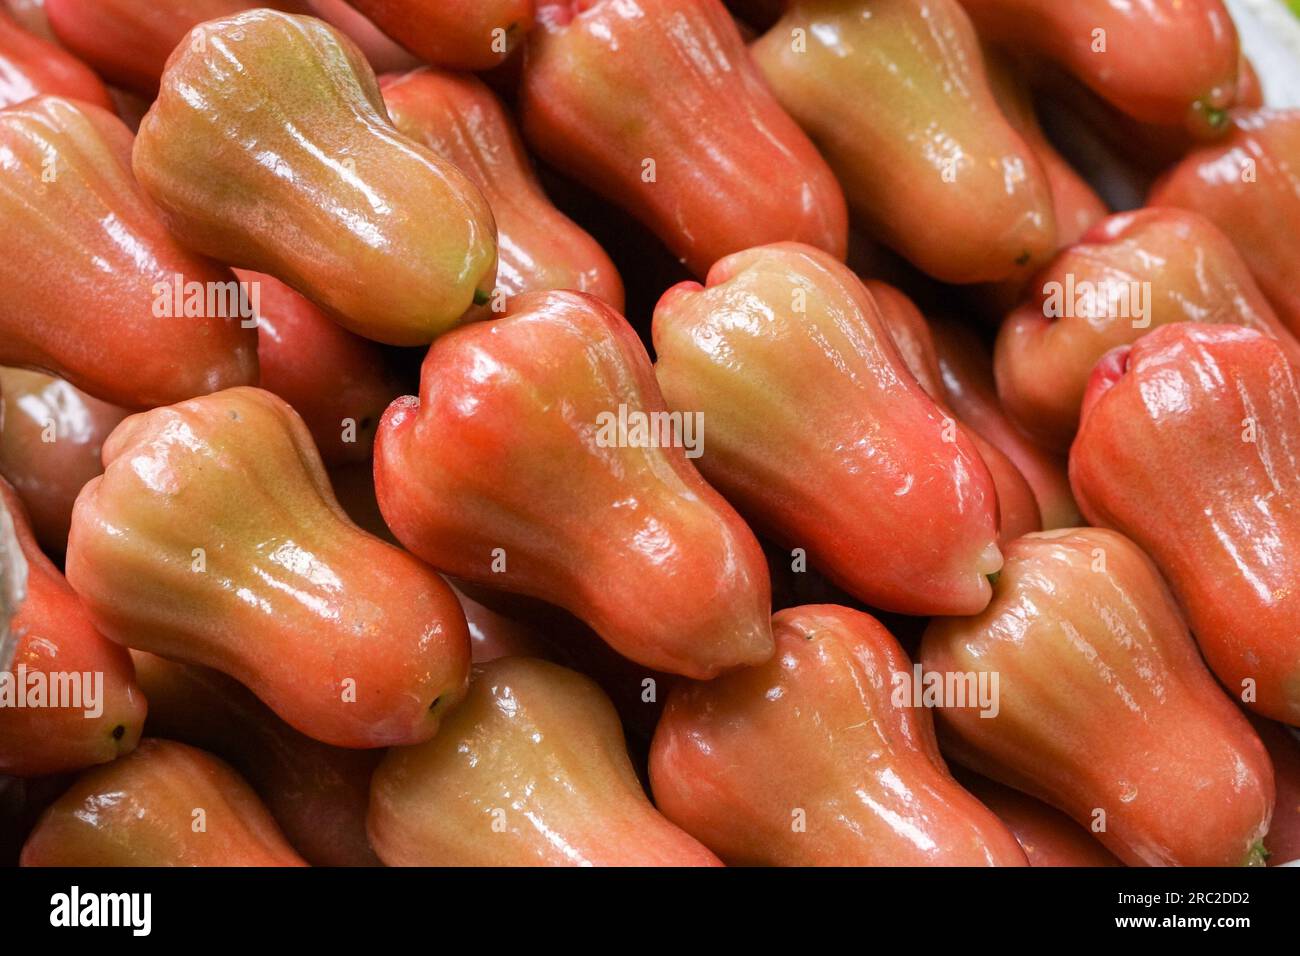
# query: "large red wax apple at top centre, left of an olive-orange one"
(610, 85)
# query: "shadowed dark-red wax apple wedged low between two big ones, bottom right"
(1048, 837)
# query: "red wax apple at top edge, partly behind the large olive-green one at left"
(129, 41)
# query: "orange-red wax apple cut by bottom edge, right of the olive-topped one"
(817, 730)
